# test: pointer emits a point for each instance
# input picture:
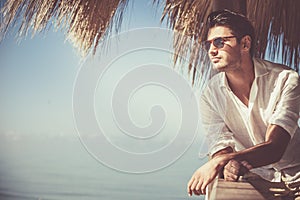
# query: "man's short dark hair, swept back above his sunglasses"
(238, 23)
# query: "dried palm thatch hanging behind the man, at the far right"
(277, 29)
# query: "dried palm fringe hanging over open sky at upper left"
(85, 22)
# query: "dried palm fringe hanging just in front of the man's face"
(186, 18)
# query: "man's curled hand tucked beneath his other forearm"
(233, 169)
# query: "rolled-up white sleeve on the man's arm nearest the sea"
(216, 133)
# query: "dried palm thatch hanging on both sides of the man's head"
(275, 23)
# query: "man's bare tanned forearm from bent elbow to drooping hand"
(262, 154)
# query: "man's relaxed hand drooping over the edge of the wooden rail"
(205, 174)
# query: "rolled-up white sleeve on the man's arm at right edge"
(286, 112)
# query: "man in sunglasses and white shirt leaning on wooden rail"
(249, 110)
